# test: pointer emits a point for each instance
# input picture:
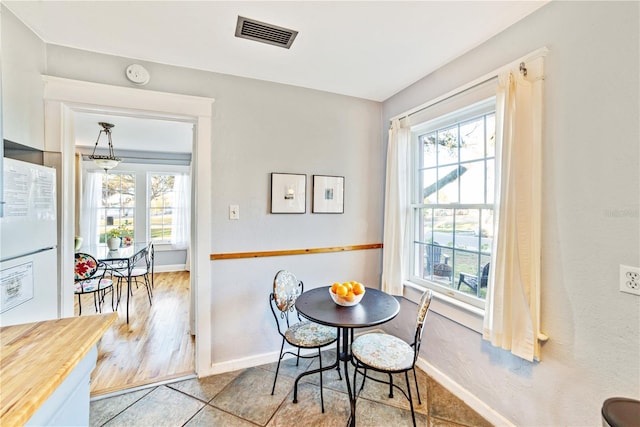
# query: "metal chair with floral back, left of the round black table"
(293, 330)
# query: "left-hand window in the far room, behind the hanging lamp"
(117, 205)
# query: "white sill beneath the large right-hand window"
(464, 314)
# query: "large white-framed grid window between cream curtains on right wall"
(452, 201)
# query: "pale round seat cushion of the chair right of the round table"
(382, 351)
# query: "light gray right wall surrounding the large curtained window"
(591, 192)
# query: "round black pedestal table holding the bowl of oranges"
(375, 308)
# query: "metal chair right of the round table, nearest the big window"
(391, 355)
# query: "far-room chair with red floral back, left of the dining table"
(89, 278)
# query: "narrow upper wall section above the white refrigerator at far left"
(23, 62)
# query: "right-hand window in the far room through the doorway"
(161, 206)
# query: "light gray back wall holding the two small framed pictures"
(259, 128)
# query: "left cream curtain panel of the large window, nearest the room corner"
(396, 209)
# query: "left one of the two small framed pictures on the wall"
(288, 193)
